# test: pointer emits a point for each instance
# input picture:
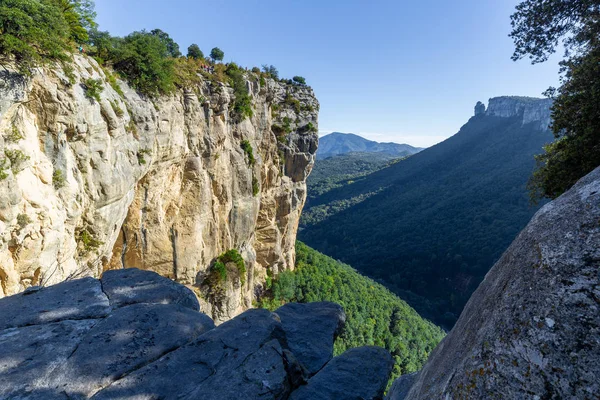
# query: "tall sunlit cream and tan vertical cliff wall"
(158, 184)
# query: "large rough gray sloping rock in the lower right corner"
(532, 328)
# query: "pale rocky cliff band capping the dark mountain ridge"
(532, 110)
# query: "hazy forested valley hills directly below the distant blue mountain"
(333, 173)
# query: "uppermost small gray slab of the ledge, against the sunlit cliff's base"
(132, 285)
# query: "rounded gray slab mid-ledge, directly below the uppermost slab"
(130, 338)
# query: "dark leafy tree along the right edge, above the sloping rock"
(539, 26)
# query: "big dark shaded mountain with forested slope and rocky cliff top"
(431, 226)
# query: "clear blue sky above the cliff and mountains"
(403, 71)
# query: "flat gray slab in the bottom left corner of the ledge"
(29, 355)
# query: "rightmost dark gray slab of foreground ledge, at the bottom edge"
(361, 373)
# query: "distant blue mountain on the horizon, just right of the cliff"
(341, 143)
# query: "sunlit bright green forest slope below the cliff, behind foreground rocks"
(375, 316)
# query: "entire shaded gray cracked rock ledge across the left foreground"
(156, 346)
